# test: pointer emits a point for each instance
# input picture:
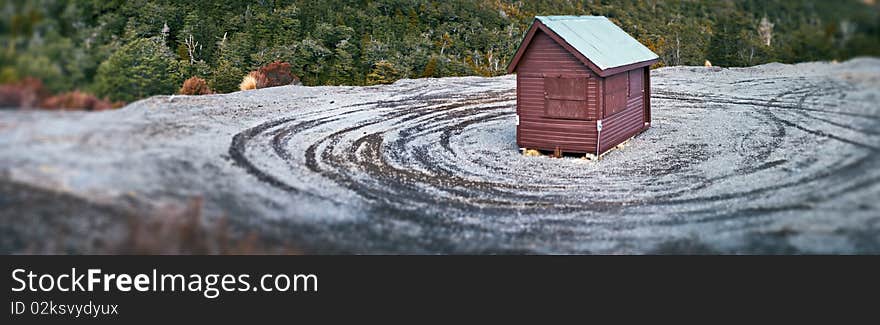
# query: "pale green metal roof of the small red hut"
(598, 39)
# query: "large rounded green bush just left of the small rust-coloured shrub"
(142, 68)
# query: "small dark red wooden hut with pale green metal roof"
(582, 85)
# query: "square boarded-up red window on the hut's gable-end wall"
(565, 97)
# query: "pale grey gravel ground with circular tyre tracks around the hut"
(773, 158)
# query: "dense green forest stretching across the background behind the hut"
(339, 42)
